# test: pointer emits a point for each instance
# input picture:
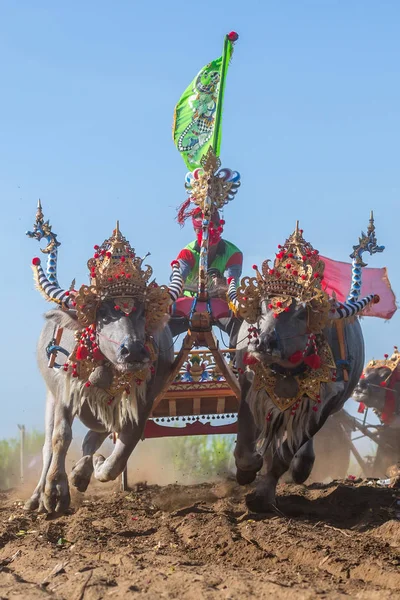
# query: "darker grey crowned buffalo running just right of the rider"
(286, 356)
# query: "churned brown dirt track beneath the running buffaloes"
(199, 541)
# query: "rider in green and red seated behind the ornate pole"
(224, 260)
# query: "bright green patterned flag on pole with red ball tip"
(197, 118)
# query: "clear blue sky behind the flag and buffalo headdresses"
(311, 121)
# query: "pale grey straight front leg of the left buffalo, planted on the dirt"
(56, 496)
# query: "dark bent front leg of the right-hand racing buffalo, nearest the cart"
(248, 461)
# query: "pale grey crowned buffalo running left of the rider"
(120, 353)
